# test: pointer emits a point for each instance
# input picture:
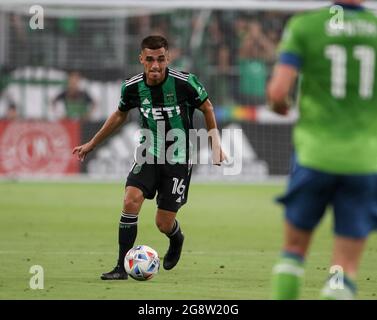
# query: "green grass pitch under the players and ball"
(233, 237)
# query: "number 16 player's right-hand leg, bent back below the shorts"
(167, 224)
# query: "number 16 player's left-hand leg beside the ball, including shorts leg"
(140, 185)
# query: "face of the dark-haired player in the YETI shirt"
(155, 62)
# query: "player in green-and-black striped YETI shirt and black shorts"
(166, 98)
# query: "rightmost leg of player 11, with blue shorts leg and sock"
(355, 210)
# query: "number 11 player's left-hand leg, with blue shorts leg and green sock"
(305, 202)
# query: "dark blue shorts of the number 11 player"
(353, 198)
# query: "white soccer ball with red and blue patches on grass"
(142, 262)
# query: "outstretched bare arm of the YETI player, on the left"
(111, 124)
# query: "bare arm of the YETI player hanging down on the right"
(218, 155)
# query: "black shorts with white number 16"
(170, 181)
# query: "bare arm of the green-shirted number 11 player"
(280, 86)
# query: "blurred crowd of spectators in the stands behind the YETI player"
(79, 62)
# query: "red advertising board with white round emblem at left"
(38, 147)
